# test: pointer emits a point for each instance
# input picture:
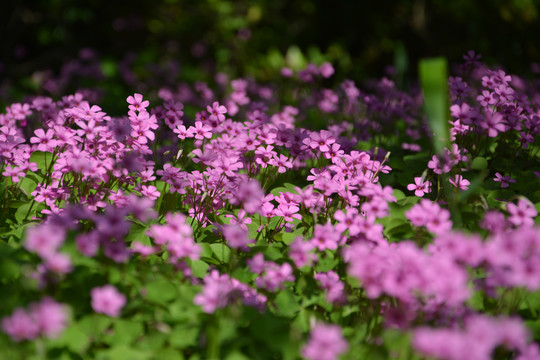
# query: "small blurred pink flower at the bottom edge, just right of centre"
(326, 342)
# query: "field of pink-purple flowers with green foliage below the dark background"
(282, 220)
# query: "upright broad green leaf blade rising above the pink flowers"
(434, 82)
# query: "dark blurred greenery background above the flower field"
(52, 47)
